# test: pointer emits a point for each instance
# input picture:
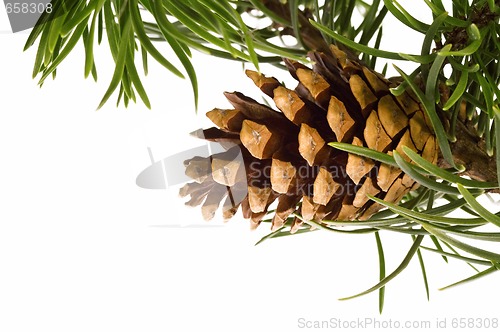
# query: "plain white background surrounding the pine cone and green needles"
(82, 248)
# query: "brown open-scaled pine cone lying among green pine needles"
(283, 156)
